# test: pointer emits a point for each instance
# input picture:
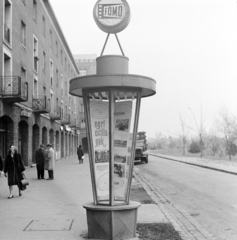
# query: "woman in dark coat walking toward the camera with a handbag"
(13, 170)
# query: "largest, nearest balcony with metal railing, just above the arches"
(13, 89)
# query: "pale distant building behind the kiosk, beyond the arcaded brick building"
(86, 63)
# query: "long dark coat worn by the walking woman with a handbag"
(14, 168)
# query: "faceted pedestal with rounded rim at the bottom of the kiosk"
(112, 222)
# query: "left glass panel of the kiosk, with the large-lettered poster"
(99, 120)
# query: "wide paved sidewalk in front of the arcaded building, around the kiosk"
(54, 209)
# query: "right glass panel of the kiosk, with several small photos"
(124, 116)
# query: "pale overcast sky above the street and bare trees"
(188, 46)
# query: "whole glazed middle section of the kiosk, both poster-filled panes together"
(111, 155)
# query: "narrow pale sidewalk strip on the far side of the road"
(218, 165)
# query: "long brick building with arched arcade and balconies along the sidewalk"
(36, 65)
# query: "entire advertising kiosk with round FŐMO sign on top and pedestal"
(112, 99)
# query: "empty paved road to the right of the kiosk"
(208, 196)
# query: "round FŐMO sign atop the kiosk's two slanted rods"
(112, 16)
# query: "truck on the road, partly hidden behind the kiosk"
(141, 147)
